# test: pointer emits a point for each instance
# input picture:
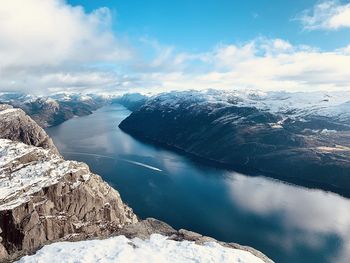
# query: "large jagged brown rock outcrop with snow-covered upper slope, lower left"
(44, 198)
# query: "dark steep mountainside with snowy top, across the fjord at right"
(297, 137)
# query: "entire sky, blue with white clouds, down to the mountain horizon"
(114, 46)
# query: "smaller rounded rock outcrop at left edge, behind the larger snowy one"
(17, 126)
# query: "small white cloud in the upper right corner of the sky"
(327, 15)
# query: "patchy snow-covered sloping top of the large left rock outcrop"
(19, 179)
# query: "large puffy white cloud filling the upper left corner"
(42, 38)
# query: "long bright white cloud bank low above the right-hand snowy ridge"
(267, 64)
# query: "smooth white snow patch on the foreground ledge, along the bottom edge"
(121, 249)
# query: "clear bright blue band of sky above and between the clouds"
(198, 25)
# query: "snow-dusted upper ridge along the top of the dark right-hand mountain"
(296, 104)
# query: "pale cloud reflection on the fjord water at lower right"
(309, 218)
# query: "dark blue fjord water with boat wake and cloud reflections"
(286, 222)
